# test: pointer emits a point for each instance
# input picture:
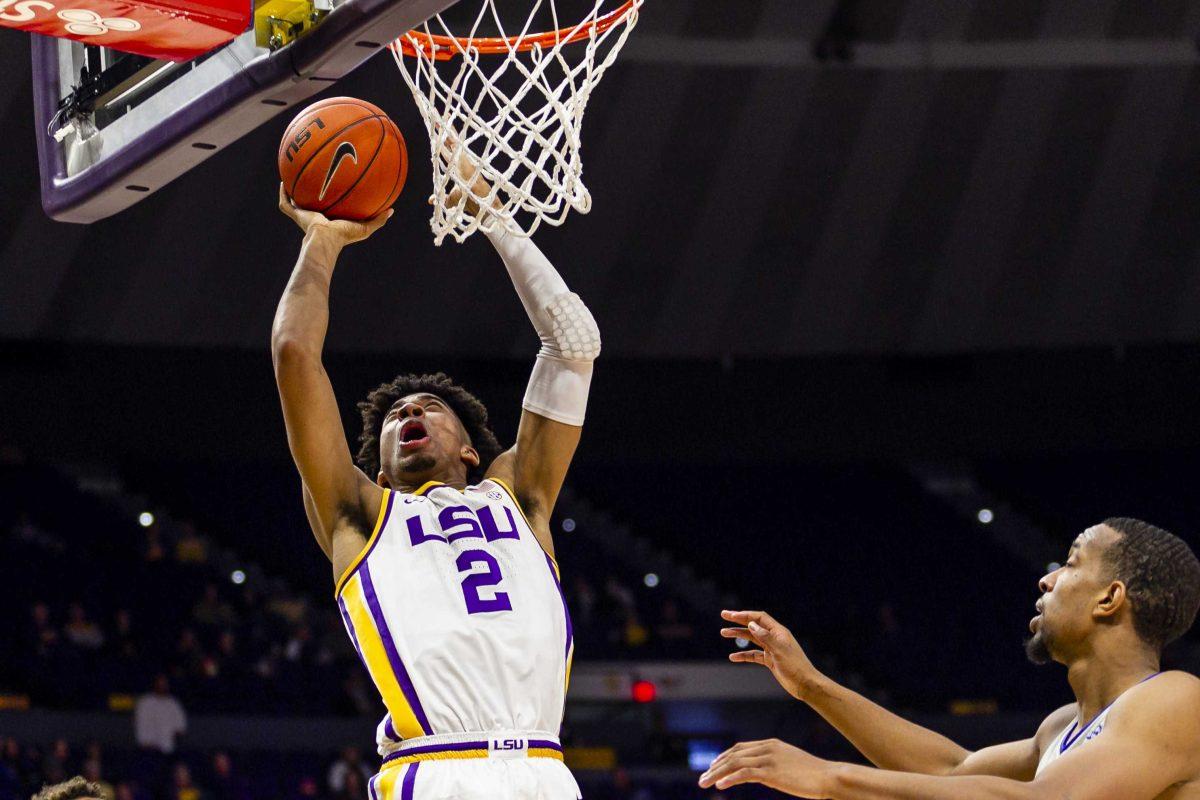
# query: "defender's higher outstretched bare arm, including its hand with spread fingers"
(887, 741)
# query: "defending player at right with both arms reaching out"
(1133, 732)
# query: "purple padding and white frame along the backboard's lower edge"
(225, 98)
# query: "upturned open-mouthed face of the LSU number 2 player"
(423, 440)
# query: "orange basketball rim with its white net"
(526, 141)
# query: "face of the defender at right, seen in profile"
(1070, 596)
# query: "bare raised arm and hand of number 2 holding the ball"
(341, 496)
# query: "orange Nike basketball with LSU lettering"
(344, 158)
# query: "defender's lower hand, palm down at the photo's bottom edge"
(772, 763)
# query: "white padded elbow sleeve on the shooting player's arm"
(571, 338)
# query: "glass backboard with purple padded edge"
(113, 128)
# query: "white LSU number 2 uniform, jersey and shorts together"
(459, 616)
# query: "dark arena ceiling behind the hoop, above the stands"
(975, 176)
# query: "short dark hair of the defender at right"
(1162, 578)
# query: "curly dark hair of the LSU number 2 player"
(471, 412)
